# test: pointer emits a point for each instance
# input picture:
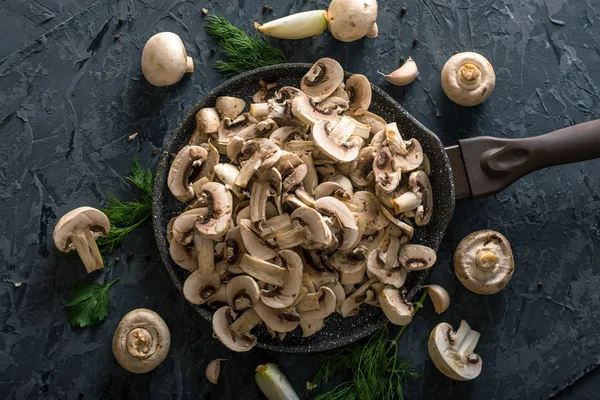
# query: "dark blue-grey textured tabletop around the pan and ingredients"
(71, 94)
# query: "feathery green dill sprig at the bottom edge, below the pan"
(376, 371)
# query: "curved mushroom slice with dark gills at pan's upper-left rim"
(183, 171)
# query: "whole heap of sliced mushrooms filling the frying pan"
(311, 214)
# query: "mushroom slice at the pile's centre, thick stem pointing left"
(308, 230)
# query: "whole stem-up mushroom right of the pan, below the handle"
(483, 262)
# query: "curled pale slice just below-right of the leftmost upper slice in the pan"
(220, 204)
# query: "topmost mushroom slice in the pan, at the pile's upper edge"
(322, 79)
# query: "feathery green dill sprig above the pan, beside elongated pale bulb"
(244, 52)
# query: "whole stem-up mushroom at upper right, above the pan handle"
(468, 78)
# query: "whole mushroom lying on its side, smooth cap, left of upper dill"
(164, 59)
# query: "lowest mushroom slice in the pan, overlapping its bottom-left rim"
(240, 339)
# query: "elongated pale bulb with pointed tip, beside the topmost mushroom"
(296, 26)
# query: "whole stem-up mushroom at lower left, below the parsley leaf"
(141, 341)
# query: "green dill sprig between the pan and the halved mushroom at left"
(126, 216)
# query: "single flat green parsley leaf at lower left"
(88, 304)
